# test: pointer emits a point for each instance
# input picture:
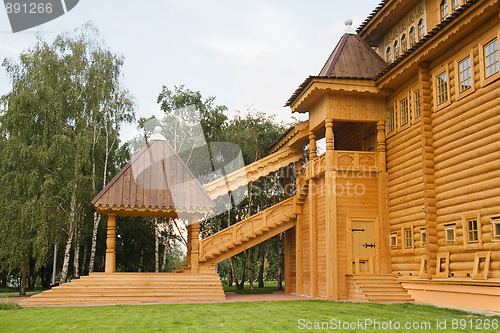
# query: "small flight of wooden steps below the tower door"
(381, 288)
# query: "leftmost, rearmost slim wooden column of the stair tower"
(299, 258)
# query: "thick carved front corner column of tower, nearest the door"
(332, 271)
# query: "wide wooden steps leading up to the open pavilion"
(132, 288)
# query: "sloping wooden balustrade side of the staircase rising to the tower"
(249, 232)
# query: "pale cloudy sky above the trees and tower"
(249, 54)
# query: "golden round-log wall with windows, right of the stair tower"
(443, 163)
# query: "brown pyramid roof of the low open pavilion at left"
(155, 183)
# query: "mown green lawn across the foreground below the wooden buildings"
(236, 317)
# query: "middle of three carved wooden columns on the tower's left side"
(313, 227)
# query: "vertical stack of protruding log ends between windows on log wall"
(428, 167)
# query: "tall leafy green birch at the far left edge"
(60, 128)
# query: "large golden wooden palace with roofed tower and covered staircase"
(405, 202)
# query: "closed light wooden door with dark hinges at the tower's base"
(363, 247)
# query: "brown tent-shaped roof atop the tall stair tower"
(353, 58)
